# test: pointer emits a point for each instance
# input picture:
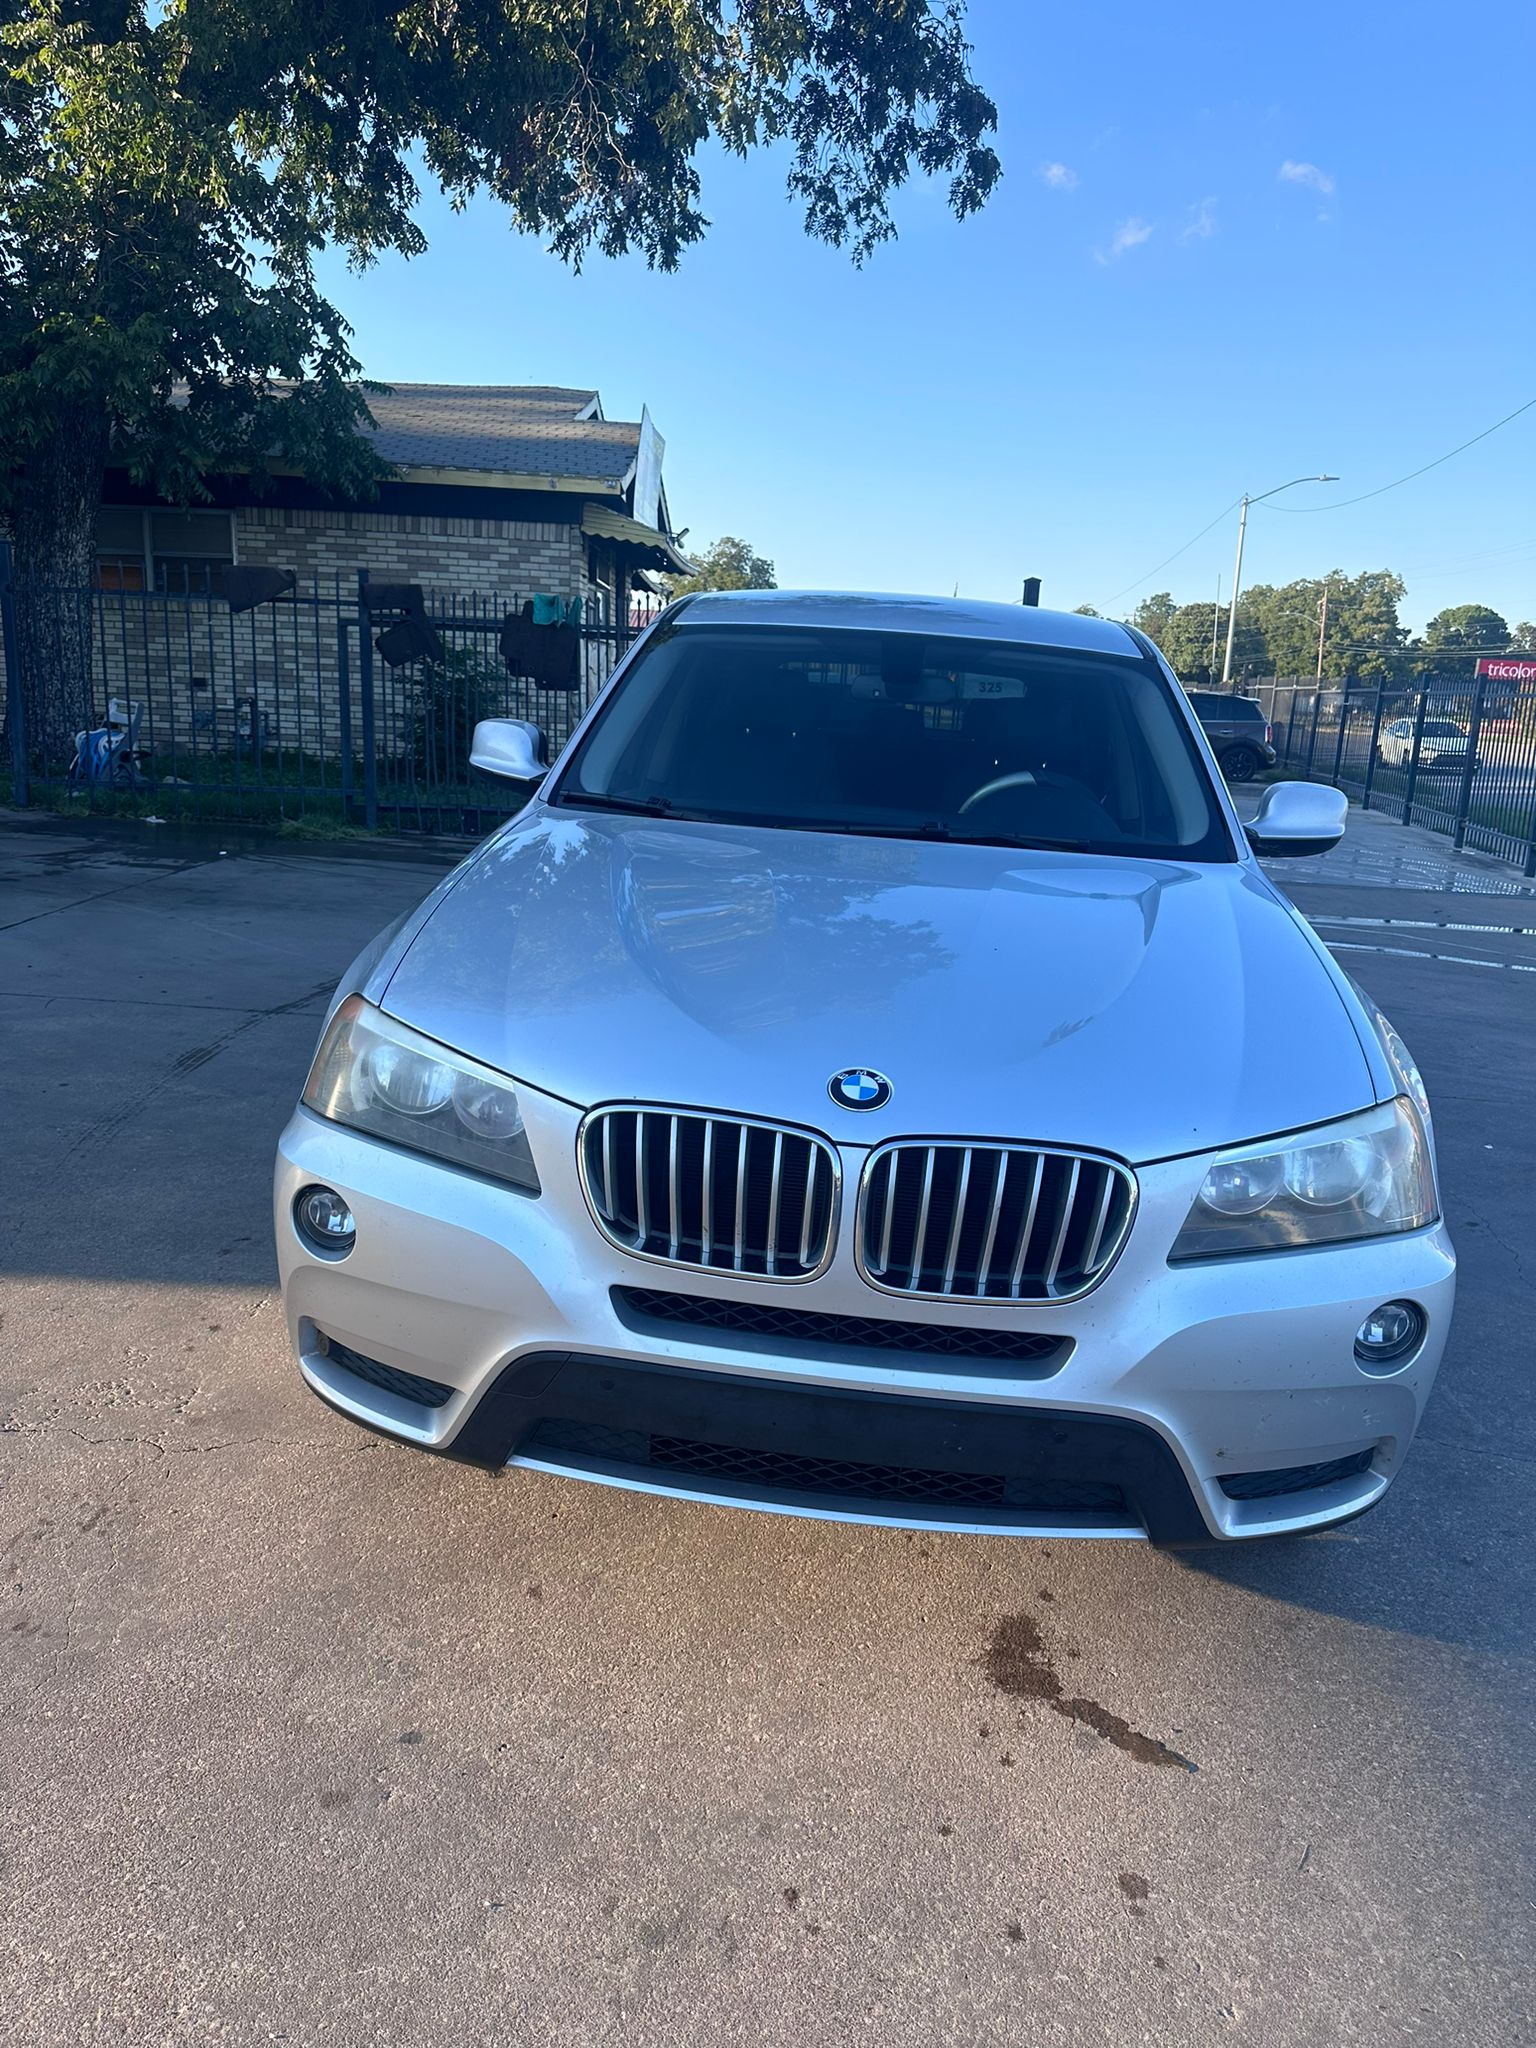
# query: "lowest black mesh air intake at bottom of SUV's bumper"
(779, 1474)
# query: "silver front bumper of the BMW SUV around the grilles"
(499, 1328)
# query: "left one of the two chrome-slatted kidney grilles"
(712, 1193)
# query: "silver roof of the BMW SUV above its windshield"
(890, 613)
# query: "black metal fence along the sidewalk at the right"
(1457, 757)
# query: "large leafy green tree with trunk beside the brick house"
(173, 169)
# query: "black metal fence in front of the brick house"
(290, 710)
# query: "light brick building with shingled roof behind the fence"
(497, 495)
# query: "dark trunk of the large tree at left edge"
(54, 531)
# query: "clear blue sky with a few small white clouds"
(1279, 241)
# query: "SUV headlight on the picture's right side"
(1367, 1177)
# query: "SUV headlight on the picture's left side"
(384, 1078)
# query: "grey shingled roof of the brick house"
(544, 431)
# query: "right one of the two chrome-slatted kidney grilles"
(990, 1222)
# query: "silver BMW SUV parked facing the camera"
(873, 1078)
